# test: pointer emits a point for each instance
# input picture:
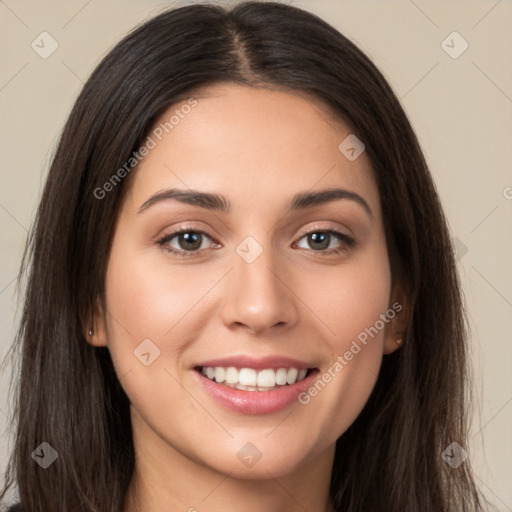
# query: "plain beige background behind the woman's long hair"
(461, 109)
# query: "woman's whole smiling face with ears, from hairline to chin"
(281, 295)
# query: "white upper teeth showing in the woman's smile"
(250, 379)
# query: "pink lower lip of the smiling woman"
(255, 402)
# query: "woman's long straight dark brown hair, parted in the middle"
(68, 394)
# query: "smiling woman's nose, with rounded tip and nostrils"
(258, 296)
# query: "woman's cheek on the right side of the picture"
(355, 307)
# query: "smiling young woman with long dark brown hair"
(242, 293)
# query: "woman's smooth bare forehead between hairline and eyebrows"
(252, 145)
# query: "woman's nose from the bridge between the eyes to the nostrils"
(257, 296)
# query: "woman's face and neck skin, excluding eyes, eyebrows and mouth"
(257, 147)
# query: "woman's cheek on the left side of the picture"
(149, 326)
